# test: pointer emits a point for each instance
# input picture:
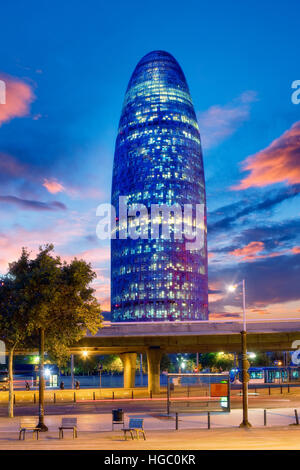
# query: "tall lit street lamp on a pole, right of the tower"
(245, 364)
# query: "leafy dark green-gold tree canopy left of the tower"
(50, 294)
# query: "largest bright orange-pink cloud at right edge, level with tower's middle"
(279, 162)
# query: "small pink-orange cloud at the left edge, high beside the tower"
(19, 96)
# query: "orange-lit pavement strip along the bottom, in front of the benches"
(282, 438)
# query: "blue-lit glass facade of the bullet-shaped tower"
(158, 160)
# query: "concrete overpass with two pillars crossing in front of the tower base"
(156, 338)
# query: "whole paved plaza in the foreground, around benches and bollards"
(95, 432)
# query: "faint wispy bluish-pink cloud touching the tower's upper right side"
(220, 122)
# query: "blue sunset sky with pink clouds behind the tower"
(66, 66)
